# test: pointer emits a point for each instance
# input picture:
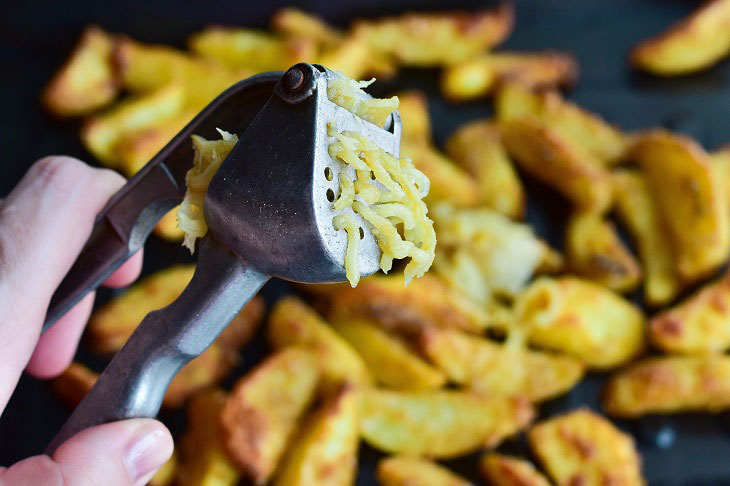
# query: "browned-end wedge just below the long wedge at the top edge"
(478, 77)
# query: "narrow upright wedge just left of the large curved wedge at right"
(637, 211)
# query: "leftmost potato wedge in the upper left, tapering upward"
(86, 82)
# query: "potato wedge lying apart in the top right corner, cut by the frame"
(691, 45)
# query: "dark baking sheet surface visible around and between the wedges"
(35, 37)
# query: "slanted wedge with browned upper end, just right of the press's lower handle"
(292, 322)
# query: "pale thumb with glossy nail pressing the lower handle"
(116, 454)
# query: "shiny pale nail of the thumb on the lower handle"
(148, 449)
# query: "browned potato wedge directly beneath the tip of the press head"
(427, 301)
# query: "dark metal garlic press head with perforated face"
(271, 200)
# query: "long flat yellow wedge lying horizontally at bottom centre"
(441, 423)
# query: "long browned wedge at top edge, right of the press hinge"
(437, 38)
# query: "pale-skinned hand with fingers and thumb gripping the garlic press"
(44, 223)
